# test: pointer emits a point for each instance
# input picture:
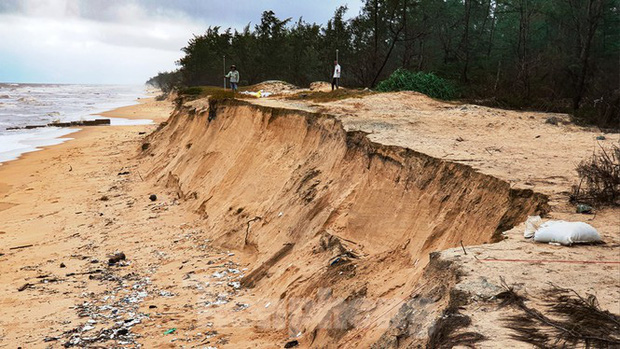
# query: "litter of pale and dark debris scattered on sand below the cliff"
(130, 298)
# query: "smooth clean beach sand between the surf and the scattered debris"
(50, 203)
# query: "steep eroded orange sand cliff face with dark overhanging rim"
(337, 228)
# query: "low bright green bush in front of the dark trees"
(427, 83)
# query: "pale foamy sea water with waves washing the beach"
(38, 104)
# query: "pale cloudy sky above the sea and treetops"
(123, 41)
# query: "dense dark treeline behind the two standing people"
(555, 55)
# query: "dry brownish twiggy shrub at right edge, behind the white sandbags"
(599, 179)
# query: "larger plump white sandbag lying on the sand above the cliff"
(566, 233)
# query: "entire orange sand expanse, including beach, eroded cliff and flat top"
(271, 226)
